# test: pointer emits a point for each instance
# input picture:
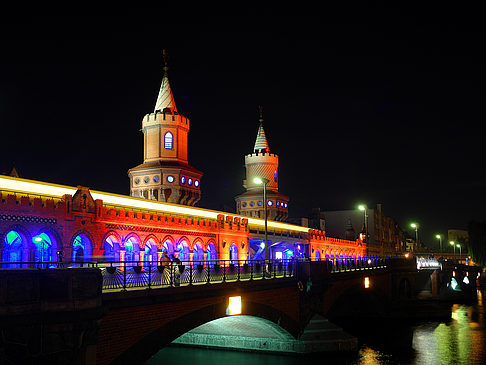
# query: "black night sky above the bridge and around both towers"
(386, 106)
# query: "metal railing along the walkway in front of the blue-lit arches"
(123, 275)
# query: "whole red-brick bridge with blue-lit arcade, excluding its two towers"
(113, 299)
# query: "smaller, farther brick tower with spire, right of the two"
(263, 164)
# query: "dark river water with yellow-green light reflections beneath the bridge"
(460, 340)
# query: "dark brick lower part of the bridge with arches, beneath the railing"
(65, 316)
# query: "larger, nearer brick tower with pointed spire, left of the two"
(165, 174)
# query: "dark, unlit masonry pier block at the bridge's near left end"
(49, 316)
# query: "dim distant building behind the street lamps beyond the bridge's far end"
(385, 238)
